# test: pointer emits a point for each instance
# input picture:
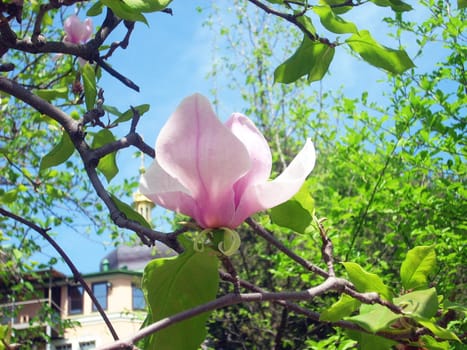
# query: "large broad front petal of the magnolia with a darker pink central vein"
(195, 148)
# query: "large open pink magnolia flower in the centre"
(218, 173)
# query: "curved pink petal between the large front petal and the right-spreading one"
(258, 149)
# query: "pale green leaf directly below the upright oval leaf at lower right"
(422, 303)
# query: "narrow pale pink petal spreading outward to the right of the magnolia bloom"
(285, 186)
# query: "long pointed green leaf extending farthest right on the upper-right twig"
(394, 61)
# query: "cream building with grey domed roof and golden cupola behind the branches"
(116, 285)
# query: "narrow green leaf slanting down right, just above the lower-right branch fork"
(367, 282)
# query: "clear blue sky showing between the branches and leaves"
(170, 60)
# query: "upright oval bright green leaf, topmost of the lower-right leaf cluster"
(418, 264)
